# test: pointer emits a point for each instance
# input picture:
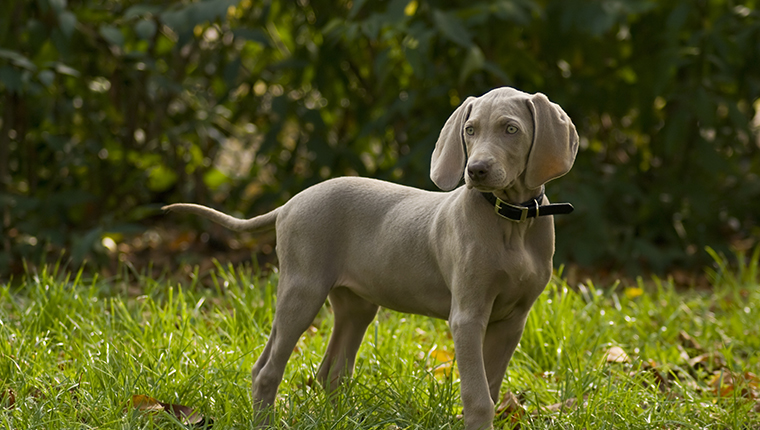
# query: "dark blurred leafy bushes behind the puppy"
(112, 108)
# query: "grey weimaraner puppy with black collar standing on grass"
(478, 256)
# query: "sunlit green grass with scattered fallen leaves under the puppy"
(74, 352)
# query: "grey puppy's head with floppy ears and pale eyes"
(508, 136)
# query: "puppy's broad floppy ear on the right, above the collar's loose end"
(555, 142)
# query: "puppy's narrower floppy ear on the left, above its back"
(447, 164)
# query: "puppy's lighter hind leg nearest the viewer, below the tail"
(298, 302)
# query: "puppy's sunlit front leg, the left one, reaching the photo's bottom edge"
(468, 329)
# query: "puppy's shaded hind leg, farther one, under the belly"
(353, 315)
